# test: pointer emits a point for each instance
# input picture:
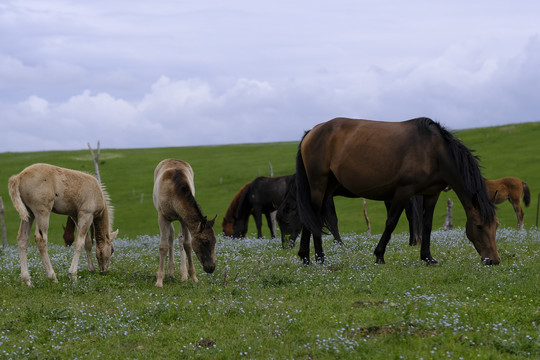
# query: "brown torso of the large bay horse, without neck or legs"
(372, 158)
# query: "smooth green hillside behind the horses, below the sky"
(220, 171)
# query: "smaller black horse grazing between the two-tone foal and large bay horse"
(263, 196)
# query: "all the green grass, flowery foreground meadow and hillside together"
(261, 302)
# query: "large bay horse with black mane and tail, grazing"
(391, 161)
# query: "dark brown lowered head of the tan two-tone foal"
(204, 243)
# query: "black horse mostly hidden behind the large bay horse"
(289, 220)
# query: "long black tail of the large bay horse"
(308, 217)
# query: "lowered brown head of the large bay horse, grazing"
(482, 234)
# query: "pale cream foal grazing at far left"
(41, 189)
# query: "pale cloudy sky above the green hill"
(181, 73)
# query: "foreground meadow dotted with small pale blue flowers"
(262, 303)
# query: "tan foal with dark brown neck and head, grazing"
(174, 199)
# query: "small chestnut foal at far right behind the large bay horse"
(511, 189)
